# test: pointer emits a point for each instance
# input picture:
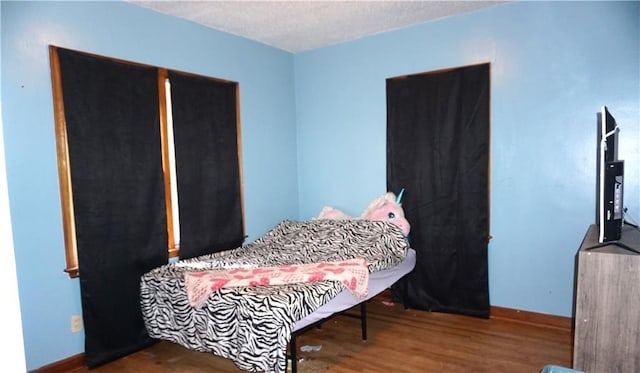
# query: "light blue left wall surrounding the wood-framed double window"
(48, 297)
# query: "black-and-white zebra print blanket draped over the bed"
(252, 326)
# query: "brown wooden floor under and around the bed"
(399, 340)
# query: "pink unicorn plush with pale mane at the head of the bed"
(386, 207)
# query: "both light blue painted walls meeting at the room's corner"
(313, 130)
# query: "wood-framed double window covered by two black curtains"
(161, 146)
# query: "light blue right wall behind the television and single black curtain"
(553, 65)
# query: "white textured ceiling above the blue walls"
(298, 26)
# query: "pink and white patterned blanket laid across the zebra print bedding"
(353, 274)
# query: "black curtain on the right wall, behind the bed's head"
(438, 150)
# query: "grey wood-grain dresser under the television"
(607, 304)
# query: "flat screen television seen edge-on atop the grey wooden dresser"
(610, 176)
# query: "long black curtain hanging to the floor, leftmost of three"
(111, 112)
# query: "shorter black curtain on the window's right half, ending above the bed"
(207, 167)
